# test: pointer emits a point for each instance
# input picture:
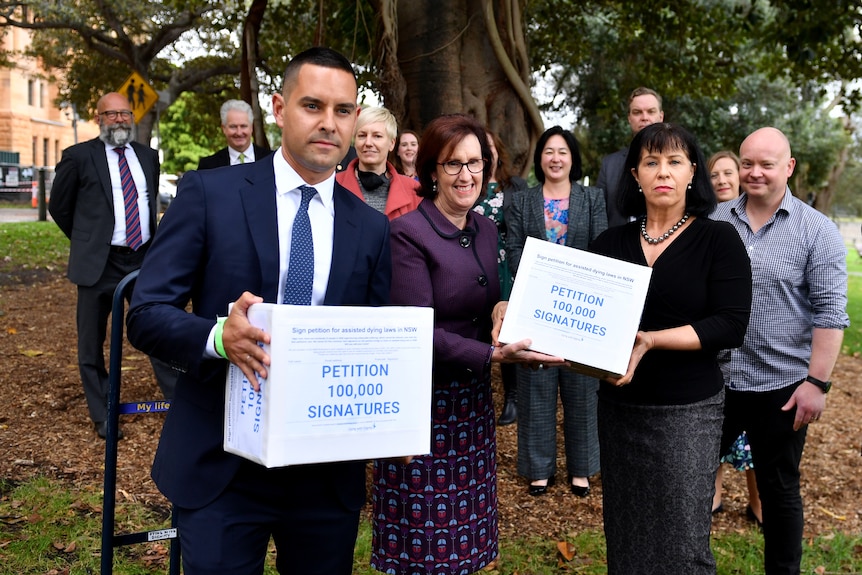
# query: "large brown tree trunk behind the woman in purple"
(448, 62)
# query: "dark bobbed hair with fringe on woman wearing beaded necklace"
(663, 137)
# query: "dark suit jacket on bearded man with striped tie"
(82, 204)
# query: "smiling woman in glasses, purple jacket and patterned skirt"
(438, 513)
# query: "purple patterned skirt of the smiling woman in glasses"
(438, 514)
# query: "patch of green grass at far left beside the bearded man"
(33, 245)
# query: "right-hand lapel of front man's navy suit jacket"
(345, 242)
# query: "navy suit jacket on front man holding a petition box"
(218, 240)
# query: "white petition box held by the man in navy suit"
(345, 383)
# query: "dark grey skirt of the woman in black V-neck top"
(658, 477)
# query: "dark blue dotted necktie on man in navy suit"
(300, 268)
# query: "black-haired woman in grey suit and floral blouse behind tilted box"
(562, 211)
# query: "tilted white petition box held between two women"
(577, 305)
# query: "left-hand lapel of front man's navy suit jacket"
(257, 194)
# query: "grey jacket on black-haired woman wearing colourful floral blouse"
(526, 218)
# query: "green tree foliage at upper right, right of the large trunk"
(723, 67)
